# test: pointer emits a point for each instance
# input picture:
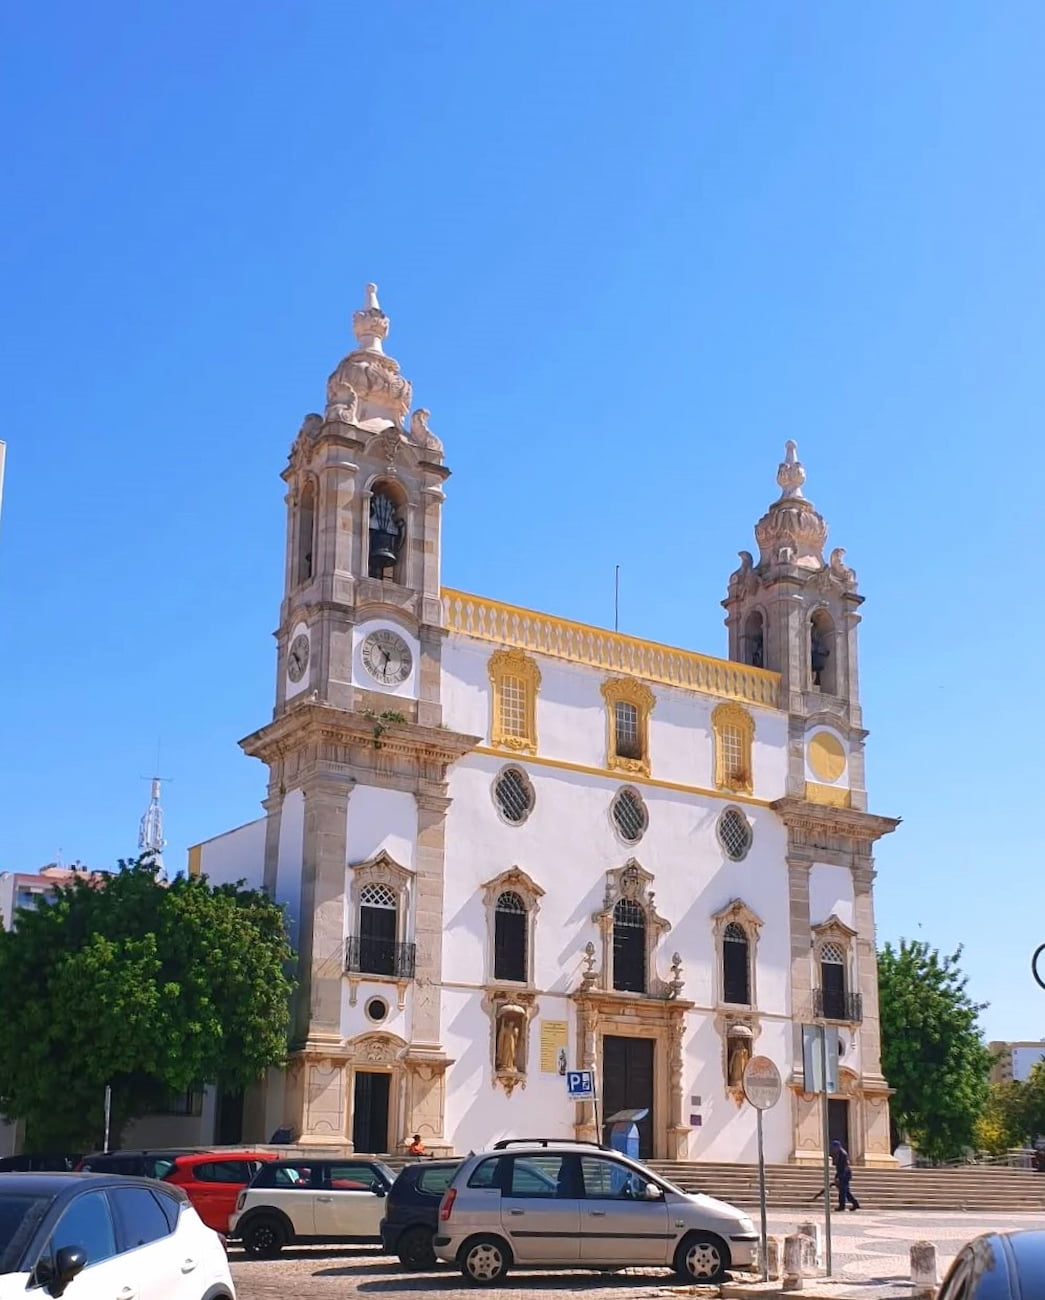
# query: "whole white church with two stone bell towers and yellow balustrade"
(513, 846)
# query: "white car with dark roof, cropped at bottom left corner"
(116, 1237)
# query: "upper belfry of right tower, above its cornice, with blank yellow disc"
(797, 614)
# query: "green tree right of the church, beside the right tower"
(933, 1050)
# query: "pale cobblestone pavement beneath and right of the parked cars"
(870, 1256)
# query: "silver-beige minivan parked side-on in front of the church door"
(591, 1208)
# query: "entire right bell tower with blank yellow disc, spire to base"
(797, 614)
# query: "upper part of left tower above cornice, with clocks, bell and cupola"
(365, 505)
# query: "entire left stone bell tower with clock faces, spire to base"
(357, 742)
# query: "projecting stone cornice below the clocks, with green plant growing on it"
(354, 734)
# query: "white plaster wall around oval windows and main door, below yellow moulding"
(567, 846)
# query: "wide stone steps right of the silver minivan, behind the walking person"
(791, 1186)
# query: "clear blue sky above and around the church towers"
(627, 252)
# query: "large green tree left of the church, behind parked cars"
(150, 989)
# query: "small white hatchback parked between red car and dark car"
(311, 1201)
